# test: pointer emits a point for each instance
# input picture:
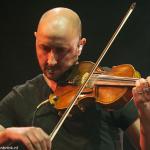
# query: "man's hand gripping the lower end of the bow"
(33, 138)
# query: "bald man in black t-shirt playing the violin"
(58, 46)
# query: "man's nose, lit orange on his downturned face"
(51, 60)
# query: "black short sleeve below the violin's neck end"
(125, 116)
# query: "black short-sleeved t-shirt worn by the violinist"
(93, 129)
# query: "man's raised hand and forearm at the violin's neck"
(141, 94)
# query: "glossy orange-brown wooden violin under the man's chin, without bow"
(111, 88)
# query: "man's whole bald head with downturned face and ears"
(58, 41)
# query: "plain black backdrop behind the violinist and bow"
(100, 18)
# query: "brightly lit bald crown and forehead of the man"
(61, 21)
